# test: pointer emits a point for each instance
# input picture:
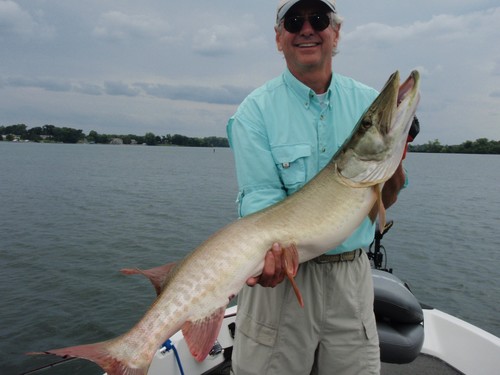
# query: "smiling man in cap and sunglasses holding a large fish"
(283, 134)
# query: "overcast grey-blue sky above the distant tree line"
(164, 66)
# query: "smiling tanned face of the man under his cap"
(307, 49)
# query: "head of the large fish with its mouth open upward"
(375, 148)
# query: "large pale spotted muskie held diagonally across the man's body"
(318, 217)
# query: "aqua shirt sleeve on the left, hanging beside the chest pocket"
(258, 178)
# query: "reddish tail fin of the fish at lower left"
(100, 354)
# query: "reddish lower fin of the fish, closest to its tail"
(200, 335)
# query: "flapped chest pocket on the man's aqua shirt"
(291, 161)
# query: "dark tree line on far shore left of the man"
(52, 133)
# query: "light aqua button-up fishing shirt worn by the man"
(283, 134)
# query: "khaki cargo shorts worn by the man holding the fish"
(335, 332)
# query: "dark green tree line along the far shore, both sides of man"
(52, 133)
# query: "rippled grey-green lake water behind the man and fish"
(71, 216)
